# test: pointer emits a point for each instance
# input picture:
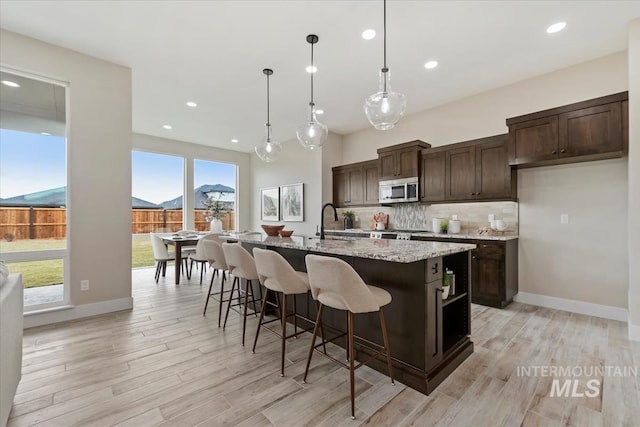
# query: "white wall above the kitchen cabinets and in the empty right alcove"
(577, 261)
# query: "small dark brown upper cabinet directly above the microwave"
(401, 161)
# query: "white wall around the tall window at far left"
(99, 165)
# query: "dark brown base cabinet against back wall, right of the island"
(494, 270)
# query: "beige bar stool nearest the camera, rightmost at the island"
(335, 284)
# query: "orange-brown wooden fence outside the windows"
(51, 223)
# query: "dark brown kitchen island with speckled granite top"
(429, 336)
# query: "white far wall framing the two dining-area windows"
(195, 151)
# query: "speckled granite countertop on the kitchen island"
(402, 251)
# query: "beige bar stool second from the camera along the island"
(277, 275)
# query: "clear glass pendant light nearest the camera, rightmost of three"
(385, 108)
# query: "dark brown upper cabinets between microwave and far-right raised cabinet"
(470, 170)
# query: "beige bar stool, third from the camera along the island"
(241, 266)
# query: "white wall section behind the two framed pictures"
(295, 165)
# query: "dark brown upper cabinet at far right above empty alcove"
(590, 130)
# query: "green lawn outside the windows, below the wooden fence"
(43, 273)
